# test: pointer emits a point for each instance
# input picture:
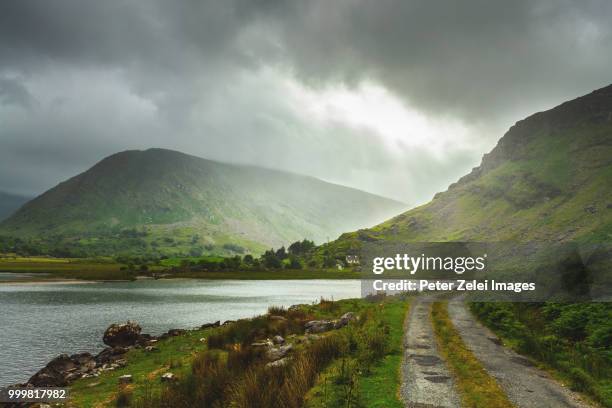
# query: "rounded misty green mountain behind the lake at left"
(166, 201)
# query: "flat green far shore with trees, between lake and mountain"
(294, 263)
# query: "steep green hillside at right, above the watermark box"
(549, 178)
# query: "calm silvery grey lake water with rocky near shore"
(40, 321)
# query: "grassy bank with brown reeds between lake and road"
(221, 367)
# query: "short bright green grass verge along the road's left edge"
(349, 382)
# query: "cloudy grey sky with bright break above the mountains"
(395, 97)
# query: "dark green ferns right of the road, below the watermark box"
(571, 339)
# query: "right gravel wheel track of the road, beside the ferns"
(525, 385)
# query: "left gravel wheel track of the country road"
(426, 382)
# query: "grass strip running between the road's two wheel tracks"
(476, 387)
